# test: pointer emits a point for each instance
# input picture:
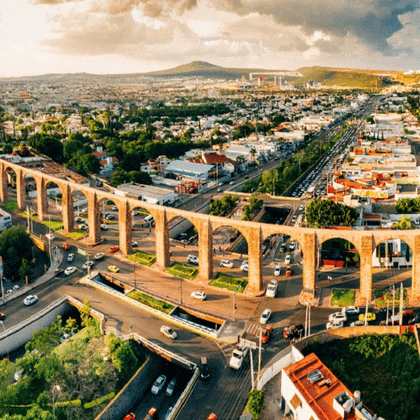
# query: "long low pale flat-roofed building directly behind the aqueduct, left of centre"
(148, 193)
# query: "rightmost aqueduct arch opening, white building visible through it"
(392, 263)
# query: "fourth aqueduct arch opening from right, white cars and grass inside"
(230, 259)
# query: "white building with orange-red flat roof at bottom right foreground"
(310, 391)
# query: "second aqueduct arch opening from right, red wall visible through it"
(338, 275)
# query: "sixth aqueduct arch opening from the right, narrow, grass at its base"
(143, 236)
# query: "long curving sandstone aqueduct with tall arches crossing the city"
(309, 239)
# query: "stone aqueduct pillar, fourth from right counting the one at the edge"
(255, 275)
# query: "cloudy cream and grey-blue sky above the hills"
(135, 36)
